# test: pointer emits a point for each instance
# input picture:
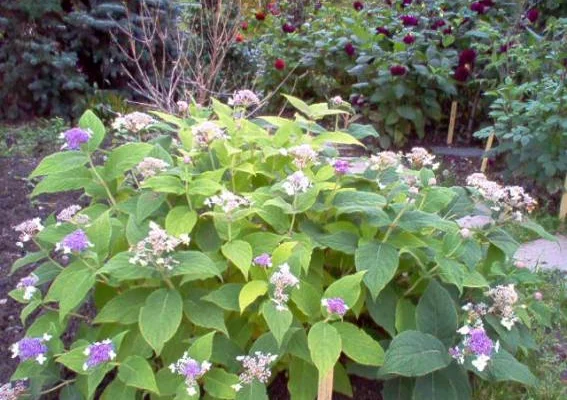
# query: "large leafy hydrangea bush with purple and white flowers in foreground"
(234, 246)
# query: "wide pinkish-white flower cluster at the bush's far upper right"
(511, 199)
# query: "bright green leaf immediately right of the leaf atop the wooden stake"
(359, 346)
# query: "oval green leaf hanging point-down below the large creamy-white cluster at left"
(160, 317)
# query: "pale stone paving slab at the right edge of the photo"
(544, 254)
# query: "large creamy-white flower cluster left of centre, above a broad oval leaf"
(154, 249)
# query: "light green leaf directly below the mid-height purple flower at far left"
(77, 276)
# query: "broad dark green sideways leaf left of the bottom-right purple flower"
(413, 353)
